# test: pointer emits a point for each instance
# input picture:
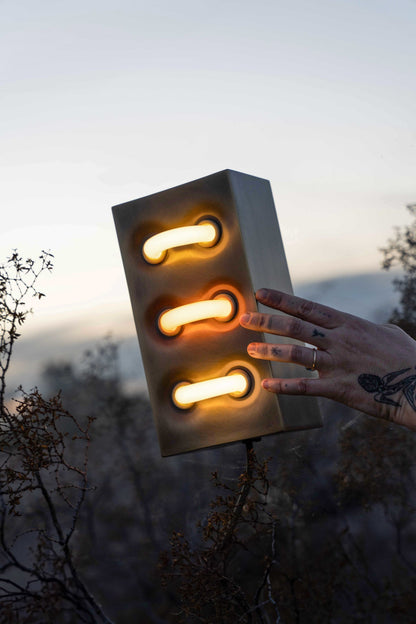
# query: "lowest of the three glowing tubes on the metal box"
(186, 394)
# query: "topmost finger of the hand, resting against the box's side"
(304, 309)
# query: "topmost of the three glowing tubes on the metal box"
(155, 248)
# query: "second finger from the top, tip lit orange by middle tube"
(286, 326)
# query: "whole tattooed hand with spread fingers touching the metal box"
(366, 366)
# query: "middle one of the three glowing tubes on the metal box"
(222, 308)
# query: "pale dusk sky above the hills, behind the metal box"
(103, 102)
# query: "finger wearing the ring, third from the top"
(296, 354)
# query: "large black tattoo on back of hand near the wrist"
(384, 387)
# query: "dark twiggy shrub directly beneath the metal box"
(209, 578)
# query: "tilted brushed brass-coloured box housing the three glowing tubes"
(249, 254)
